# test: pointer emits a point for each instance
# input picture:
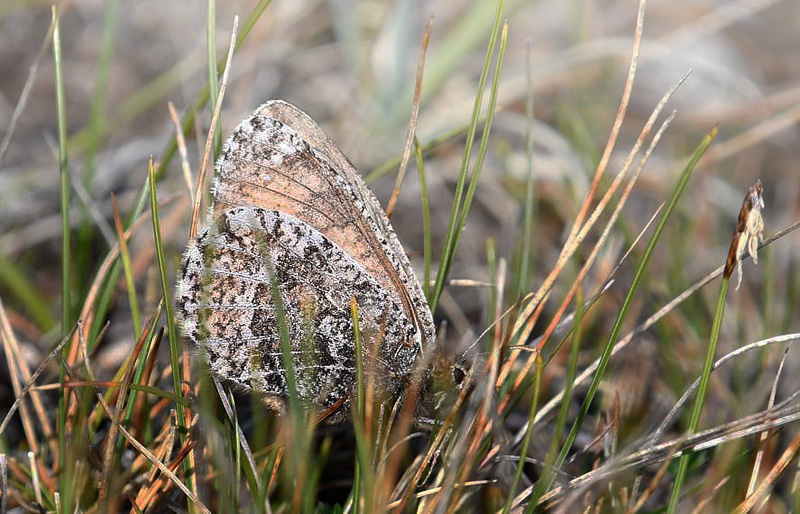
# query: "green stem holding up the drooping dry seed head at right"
(702, 390)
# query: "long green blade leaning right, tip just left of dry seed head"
(640, 272)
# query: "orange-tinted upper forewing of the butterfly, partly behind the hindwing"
(280, 159)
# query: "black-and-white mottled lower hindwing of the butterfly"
(227, 305)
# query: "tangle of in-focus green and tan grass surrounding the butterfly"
(153, 436)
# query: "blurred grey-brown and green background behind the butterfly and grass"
(350, 64)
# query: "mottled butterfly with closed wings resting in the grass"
(289, 208)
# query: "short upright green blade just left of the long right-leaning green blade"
(549, 471)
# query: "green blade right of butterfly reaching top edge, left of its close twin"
(455, 210)
